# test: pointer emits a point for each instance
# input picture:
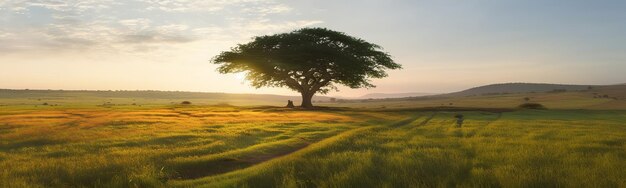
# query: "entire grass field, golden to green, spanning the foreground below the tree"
(166, 145)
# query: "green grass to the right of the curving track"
(517, 149)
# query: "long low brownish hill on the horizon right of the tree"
(509, 96)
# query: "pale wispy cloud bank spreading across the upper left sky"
(54, 25)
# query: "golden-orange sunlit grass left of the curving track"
(143, 147)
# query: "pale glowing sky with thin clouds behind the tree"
(443, 45)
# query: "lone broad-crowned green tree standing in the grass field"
(308, 60)
